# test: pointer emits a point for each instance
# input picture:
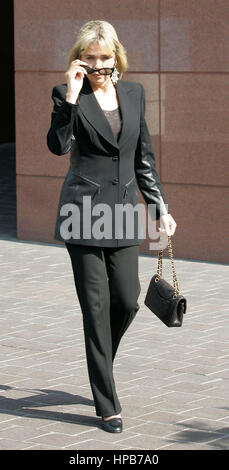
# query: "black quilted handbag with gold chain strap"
(164, 300)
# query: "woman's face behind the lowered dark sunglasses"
(97, 57)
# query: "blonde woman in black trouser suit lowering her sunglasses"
(101, 120)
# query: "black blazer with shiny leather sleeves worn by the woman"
(106, 169)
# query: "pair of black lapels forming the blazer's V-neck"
(95, 115)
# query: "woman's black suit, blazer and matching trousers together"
(105, 270)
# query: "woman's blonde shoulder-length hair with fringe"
(103, 33)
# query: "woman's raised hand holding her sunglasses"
(74, 76)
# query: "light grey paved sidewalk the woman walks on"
(173, 384)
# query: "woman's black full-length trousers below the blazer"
(108, 287)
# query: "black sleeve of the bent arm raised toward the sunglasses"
(61, 134)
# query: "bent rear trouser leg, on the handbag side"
(124, 284)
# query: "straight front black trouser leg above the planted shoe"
(91, 281)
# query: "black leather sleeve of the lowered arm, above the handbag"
(145, 167)
